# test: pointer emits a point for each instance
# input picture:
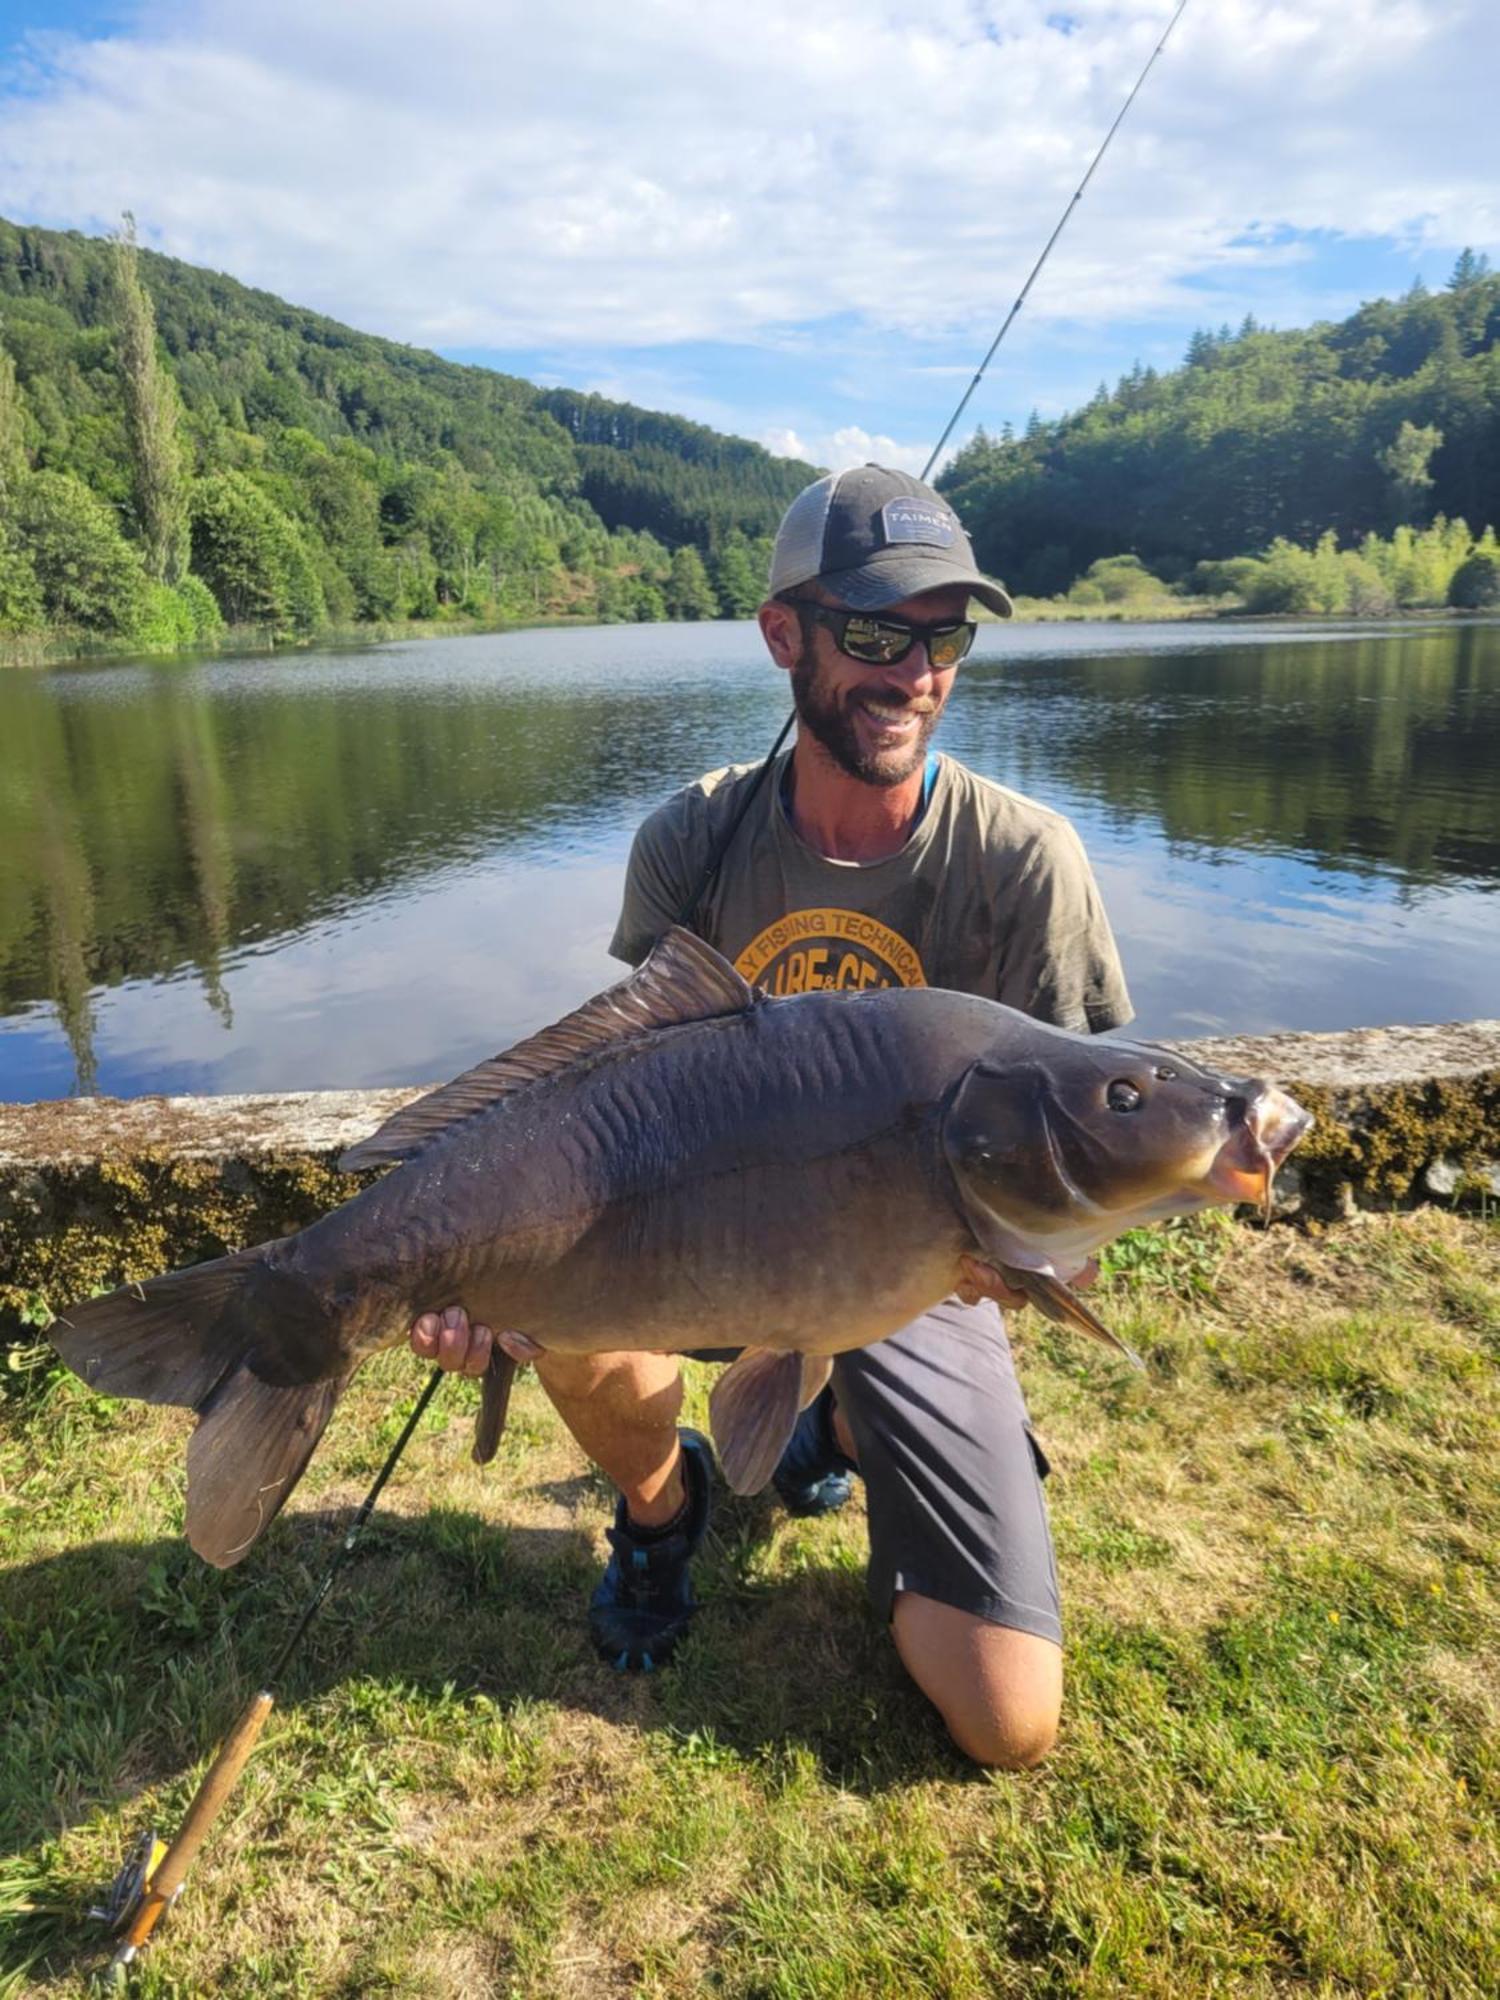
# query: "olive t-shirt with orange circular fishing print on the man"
(993, 895)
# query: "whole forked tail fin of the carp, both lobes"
(241, 1343)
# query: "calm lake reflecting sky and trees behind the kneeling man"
(375, 867)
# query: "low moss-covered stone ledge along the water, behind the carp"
(95, 1191)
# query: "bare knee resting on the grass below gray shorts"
(999, 1691)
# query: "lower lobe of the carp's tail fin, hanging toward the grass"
(247, 1455)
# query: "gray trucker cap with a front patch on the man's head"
(875, 537)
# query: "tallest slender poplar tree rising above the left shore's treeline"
(153, 415)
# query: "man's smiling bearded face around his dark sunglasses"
(875, 721)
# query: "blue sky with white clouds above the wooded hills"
(801, 225)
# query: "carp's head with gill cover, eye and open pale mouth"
(1085, 1139)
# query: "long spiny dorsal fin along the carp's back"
(681, 981)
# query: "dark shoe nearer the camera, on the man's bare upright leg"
(645, 1601)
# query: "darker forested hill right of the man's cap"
(1391, 417)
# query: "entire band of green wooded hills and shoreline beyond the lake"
(187, 461)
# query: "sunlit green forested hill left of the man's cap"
(167, 429)
